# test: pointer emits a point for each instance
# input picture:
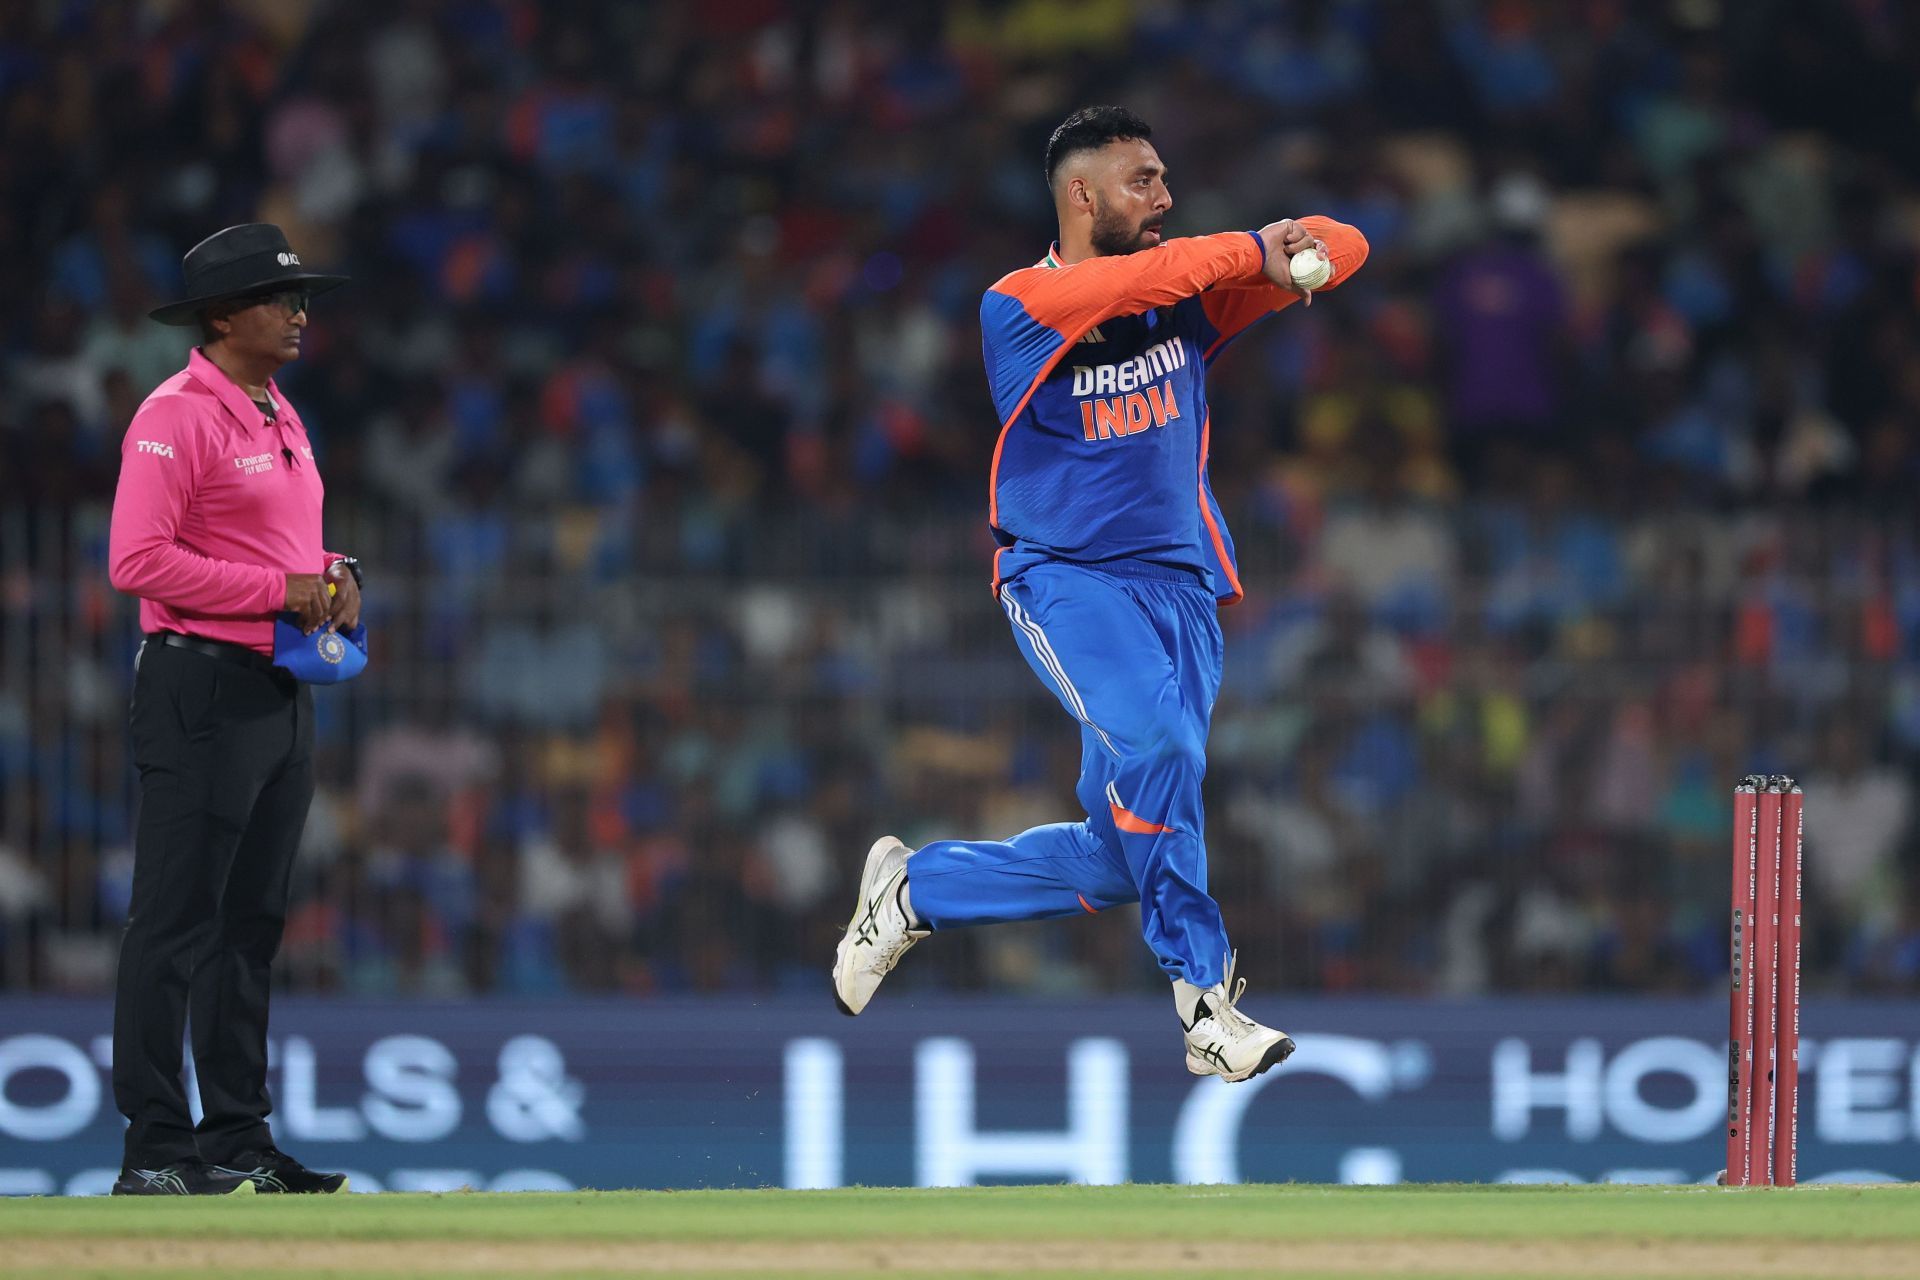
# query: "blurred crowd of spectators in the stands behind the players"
(658, 417)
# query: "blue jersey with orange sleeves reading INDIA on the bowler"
(1099, 377)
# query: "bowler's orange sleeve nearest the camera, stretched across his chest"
(1070, 300)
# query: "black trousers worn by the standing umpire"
(226, 759)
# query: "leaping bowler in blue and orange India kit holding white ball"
(1113, 563)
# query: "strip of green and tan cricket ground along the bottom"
(1051, 1231)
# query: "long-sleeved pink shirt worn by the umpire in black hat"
(216, 506)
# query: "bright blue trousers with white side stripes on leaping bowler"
(1138, 661)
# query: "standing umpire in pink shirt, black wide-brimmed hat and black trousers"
(218, 531)
